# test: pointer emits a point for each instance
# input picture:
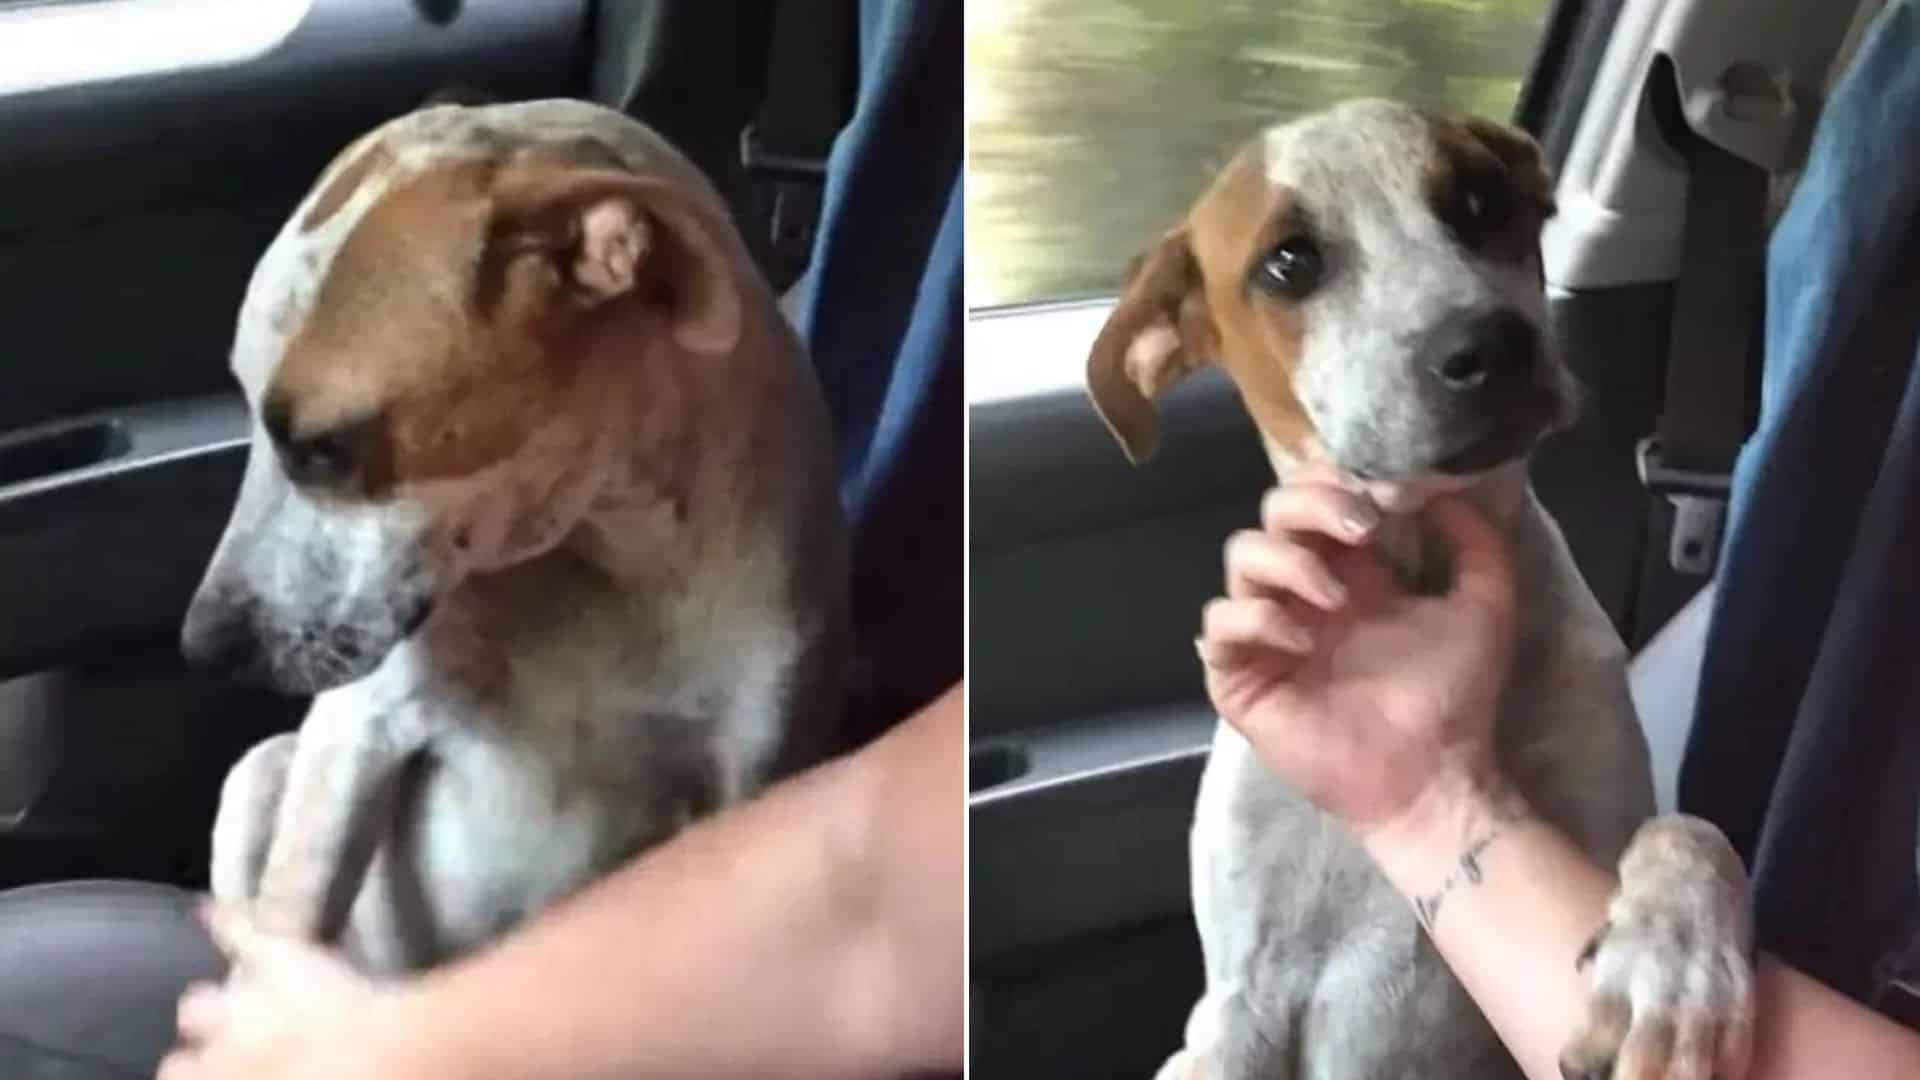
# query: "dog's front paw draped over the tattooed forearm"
(1671, 973)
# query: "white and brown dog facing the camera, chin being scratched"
(1370, 280)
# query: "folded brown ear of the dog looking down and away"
(613, 233)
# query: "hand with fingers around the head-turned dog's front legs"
(287, 1012)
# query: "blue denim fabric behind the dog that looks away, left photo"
(882, 312)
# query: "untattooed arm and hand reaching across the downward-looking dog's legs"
(815, 931)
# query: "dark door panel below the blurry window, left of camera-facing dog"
(1086, 568)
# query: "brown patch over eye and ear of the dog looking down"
(469, 305)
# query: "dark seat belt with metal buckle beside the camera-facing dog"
(1716, 349)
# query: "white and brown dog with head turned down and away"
(540, 504)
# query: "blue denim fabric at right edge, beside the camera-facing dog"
(1808, 727)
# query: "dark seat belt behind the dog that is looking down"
(807, 101)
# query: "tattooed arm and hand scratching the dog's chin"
(1380, 706)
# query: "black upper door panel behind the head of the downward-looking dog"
(132, 212)
